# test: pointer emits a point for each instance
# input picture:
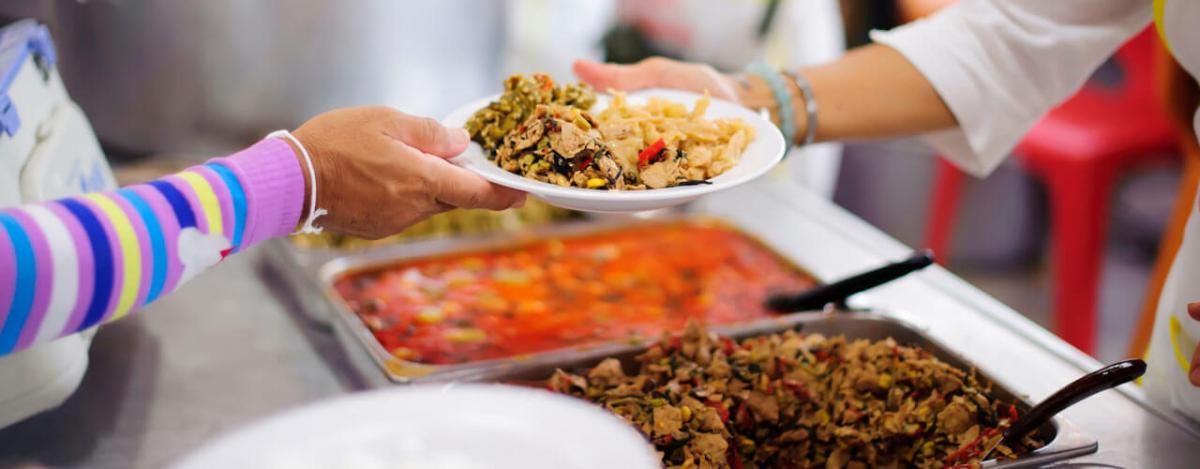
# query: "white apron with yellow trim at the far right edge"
(1177, 334)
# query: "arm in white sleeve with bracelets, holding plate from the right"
(971, 80)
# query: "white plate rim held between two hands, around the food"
(764, 153)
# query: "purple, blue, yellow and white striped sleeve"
(71, 264)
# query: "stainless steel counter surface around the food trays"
(241, 344)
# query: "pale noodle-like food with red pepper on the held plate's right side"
(663, 143)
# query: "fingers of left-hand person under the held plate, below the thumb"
(466, 190)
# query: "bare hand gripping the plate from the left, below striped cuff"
(381, 171)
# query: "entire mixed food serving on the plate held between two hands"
(549, 134)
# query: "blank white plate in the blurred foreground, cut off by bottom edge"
(436, 428)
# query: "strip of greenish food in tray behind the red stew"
(452, 224)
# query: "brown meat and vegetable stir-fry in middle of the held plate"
(561, 146)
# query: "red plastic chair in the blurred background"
(1079, 151)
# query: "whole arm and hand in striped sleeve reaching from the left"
(68, 266)
